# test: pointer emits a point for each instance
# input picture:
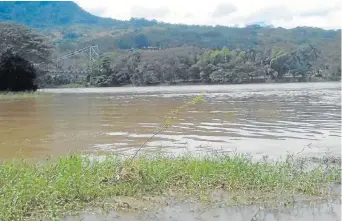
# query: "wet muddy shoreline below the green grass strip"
(187, 210)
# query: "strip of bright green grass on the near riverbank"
(74, 182)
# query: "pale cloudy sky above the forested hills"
(284, 13)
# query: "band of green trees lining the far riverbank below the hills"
(190, 65)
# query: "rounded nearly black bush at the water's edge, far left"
(16, 73)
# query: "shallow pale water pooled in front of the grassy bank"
(328, 211)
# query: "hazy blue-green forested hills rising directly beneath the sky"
(70, 26)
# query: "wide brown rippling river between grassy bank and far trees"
(259, 119)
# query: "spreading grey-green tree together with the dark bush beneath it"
(20, 49)
